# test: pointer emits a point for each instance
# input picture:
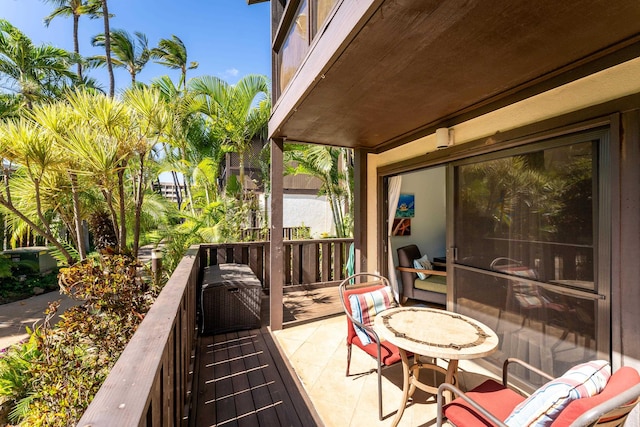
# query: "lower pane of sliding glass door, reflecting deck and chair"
(545, 327)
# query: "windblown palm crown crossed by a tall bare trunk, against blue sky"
(127, 52)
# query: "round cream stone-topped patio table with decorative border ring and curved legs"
(433, 333)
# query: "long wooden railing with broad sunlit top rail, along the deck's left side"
(148, 385)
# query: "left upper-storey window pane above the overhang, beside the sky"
(295, 45)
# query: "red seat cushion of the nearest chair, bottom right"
(491, 395)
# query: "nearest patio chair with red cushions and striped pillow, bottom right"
(492, 403)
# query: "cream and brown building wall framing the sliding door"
(614, 94)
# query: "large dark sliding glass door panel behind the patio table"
(530, 248)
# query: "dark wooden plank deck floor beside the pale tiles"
(241, 378)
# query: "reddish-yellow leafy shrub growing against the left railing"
(74, 358)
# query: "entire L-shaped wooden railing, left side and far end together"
(150, 383)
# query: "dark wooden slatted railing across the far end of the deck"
(305, 261)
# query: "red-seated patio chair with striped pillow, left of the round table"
(363, 295)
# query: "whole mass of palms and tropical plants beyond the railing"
(79, 173)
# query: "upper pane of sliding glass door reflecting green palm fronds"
(535, 209)
